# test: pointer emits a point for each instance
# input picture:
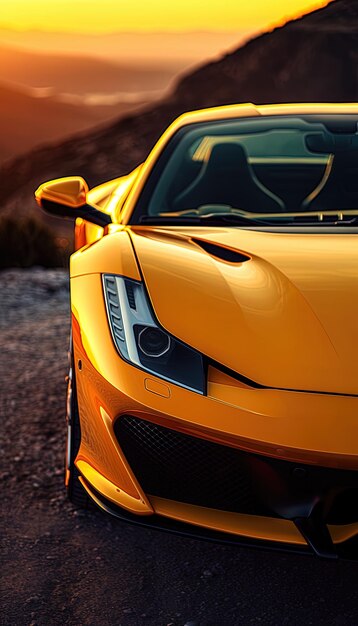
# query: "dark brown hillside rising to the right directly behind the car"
(313, 58)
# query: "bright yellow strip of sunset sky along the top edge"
(101, 16)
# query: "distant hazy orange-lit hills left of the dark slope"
(49, 97)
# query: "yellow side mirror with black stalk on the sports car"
(67, 197)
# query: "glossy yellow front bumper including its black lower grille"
(298, 455)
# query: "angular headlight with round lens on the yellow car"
(141, 341)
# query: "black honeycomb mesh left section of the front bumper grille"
(179, 467)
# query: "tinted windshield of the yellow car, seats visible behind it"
(267, 170)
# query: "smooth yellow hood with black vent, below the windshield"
(283, 315)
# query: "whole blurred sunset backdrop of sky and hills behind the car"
(93, 101)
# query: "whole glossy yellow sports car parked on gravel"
(213, 385)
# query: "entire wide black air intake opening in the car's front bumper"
(177, 466)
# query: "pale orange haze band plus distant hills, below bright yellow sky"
(53, 85)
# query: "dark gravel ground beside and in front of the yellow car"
(64, 566)
